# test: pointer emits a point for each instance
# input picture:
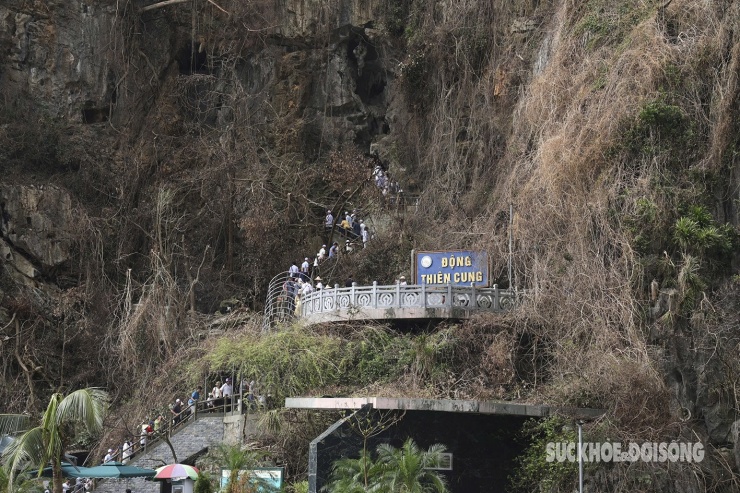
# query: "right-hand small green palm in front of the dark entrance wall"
(407, 470)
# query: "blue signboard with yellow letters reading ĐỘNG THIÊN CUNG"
(457, 267)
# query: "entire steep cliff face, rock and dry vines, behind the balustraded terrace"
(155, 161)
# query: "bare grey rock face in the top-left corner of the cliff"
(56, 53)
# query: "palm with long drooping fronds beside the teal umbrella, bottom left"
(59, 425)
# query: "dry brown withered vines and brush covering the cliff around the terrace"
(610, 127)
